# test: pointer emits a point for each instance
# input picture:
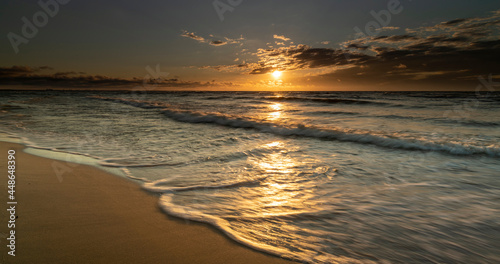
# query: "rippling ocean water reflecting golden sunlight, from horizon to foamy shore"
(318, 177)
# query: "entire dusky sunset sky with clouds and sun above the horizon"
(241, 45)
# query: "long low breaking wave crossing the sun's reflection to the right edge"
(312, 132)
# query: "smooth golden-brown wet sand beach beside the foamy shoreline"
(94, 217)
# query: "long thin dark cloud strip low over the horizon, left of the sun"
(25, 76)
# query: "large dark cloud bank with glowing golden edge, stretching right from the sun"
(446, 53)
